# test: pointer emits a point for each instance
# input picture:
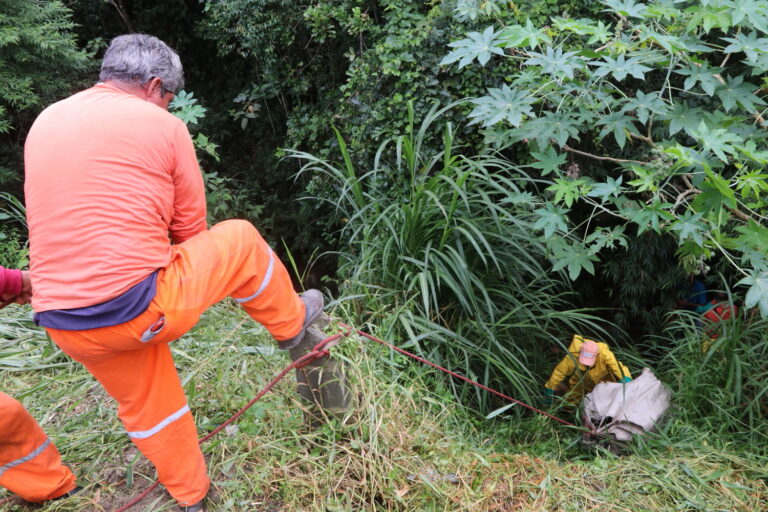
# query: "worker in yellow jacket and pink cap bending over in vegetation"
(587, 363)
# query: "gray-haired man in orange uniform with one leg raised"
(110, 176)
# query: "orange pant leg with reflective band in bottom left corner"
(30, 465)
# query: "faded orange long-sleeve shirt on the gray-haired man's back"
(108, 178)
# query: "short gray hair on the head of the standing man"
(138, 58)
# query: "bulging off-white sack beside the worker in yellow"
(623, 410)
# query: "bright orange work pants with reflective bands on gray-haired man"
(133, 360)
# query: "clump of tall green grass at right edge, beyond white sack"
(718, 372)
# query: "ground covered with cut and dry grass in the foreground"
(409, 447)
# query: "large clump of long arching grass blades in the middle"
(439, 247)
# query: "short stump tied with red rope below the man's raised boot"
(322, 383)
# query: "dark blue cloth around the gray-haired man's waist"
(121, 309)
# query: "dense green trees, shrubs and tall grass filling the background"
(474, 179)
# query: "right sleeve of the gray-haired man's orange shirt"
(189, 210)
